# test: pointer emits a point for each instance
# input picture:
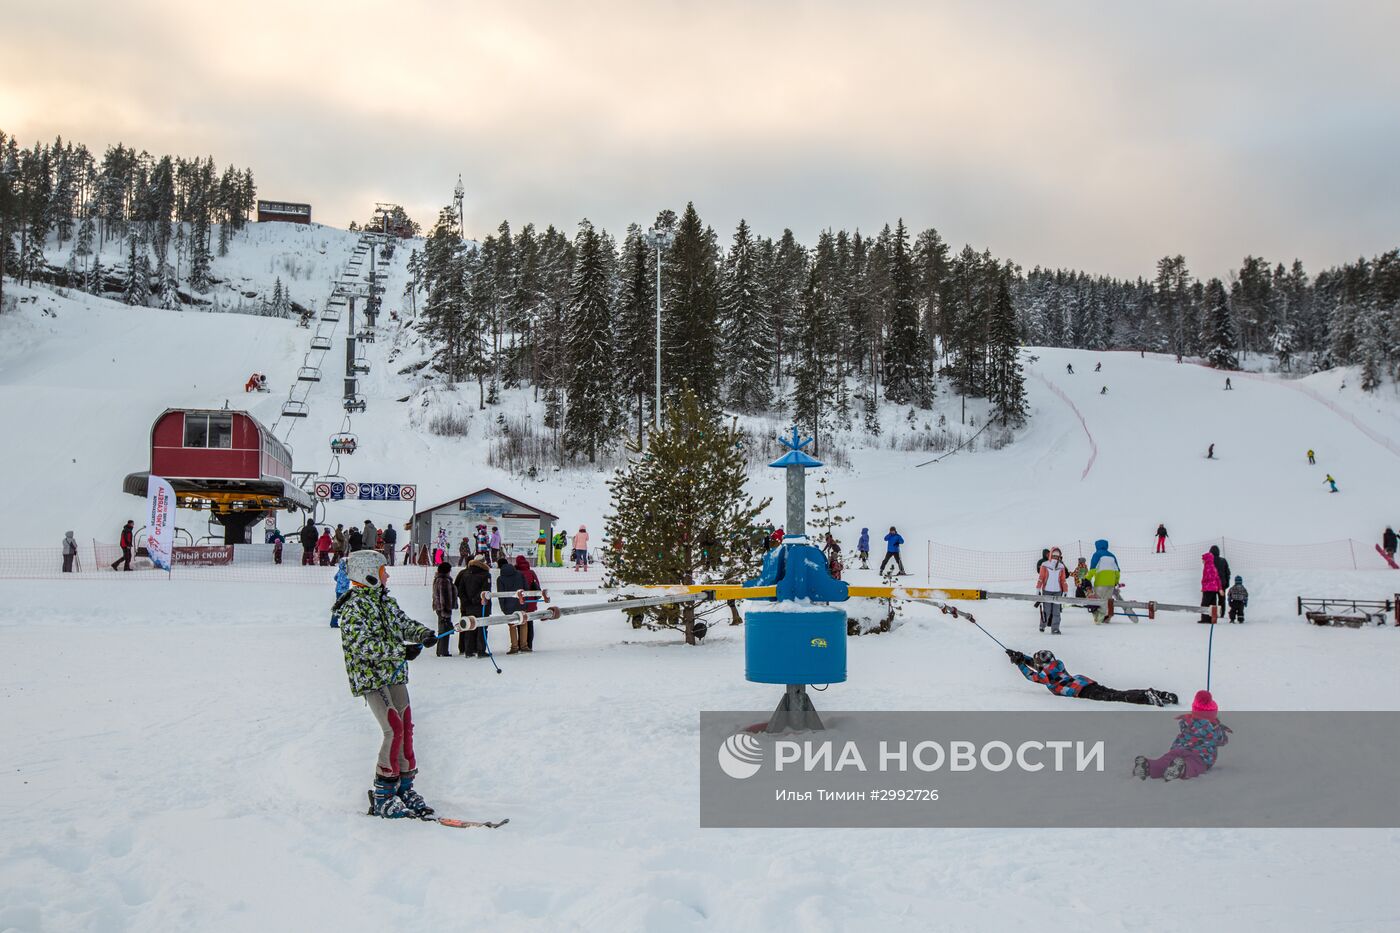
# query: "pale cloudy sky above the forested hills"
(1090, 135)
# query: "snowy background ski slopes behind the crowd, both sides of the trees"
(1088, 466)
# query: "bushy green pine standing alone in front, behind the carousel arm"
(688, 488)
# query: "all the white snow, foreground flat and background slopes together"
(187, 756)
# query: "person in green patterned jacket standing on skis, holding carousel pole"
(379, 640)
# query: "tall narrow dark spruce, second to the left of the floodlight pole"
(589, 422)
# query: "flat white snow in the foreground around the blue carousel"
(190, 757)
